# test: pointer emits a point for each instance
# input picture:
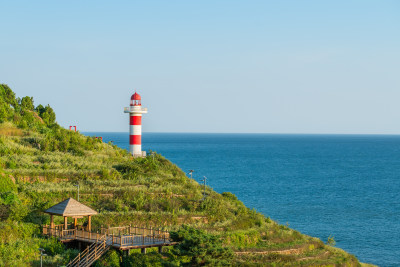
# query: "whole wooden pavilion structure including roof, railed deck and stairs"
(122, 238)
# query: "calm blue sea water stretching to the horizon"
(346, 186)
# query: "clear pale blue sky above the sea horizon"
(231, 66)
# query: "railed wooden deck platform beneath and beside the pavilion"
(123, 238)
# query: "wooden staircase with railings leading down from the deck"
(91, 253)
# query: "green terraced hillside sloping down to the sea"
(42, 162)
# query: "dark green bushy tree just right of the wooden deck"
(202, 248)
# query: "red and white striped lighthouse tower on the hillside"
(135, 125)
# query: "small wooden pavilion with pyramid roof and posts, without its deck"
(70, 208)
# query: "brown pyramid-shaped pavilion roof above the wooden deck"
(70, 207)
